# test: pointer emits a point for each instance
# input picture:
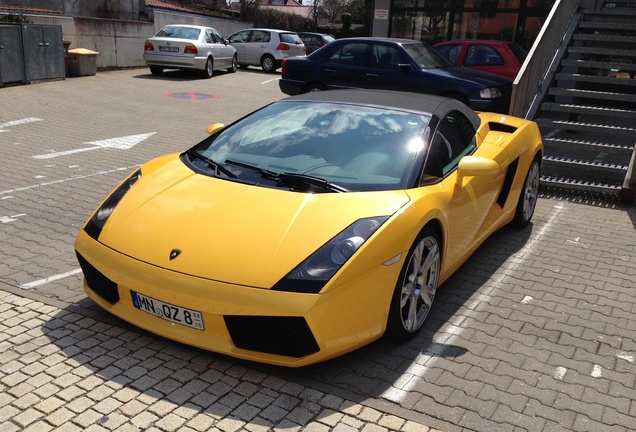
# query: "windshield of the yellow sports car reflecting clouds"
(344, 146)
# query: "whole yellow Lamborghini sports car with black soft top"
(310, 227)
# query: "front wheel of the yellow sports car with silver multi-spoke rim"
(416, 287)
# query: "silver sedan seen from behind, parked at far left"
(190, 47)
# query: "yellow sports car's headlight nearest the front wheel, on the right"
(313, 273)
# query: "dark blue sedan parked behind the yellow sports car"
(393, 64)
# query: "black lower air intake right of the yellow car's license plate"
(287, 336)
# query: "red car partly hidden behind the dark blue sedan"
(497, 57)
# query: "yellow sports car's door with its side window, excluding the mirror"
(473, 197)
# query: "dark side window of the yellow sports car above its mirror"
(453, 139)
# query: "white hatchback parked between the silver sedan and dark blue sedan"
(266, 48)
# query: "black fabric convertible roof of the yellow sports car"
(417, 102)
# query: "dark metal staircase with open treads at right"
(588, 117)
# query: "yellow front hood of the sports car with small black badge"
(228, 231)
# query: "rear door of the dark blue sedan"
(345, 66)
